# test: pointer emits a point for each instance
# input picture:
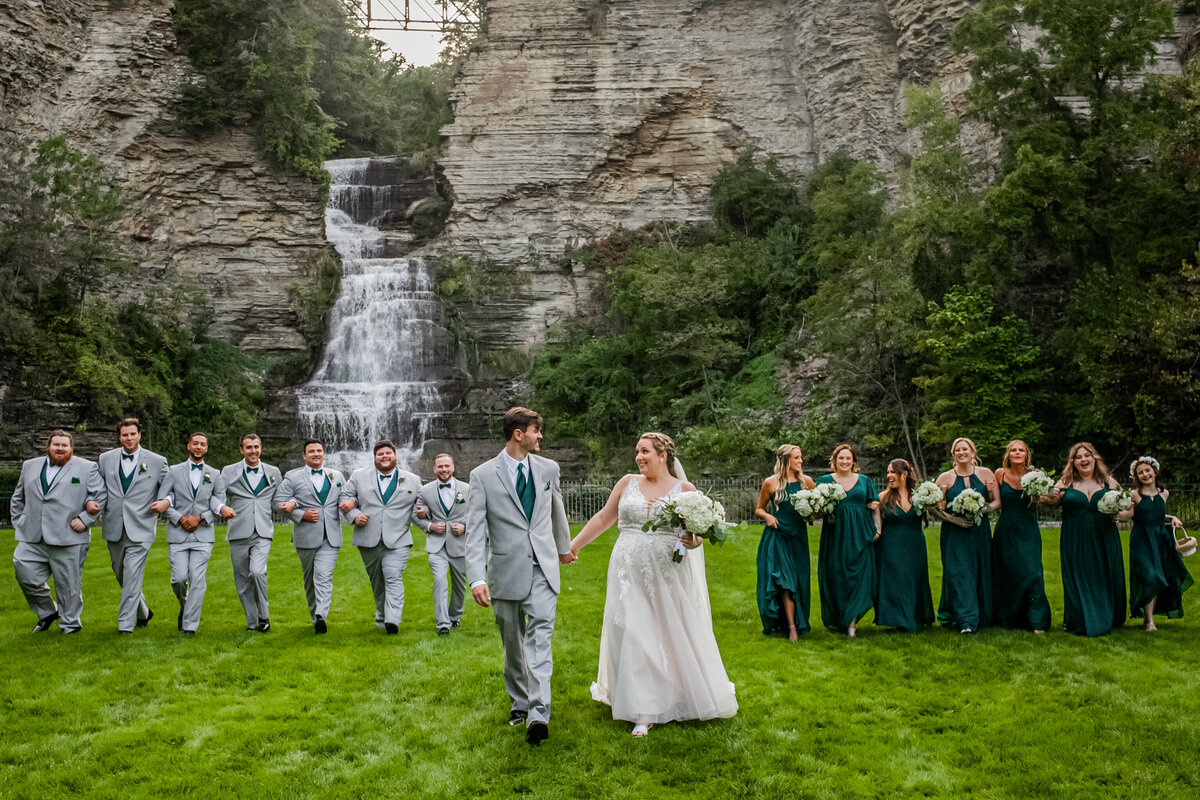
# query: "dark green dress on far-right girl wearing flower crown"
(1156, 569)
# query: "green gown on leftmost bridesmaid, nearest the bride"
(784, 566)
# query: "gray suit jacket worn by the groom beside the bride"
(495, 518)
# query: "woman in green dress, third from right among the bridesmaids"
(1019, 591)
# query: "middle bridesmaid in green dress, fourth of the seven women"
(965, 605)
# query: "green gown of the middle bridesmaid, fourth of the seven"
(967, 567)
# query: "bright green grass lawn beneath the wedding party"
(357, 714)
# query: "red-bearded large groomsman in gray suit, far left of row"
(55, 504)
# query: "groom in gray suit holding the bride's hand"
(515, 513)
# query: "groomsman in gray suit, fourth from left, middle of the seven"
(250, 494)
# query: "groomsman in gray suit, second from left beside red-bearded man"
(133, 477)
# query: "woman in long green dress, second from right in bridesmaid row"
(1090, 548)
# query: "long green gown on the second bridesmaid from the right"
(1093, 569)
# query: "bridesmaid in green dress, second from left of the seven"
(847, 556)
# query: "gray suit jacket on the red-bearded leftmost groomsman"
(46, 518)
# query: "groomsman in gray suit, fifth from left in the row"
(309, 496)
